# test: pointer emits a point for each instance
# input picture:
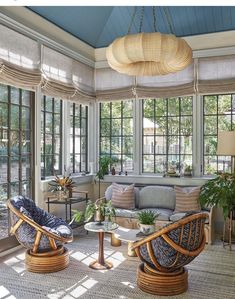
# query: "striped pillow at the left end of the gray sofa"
(123, 197)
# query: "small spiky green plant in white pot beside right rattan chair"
(147, 221)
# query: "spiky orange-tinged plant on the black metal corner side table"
(63, 186)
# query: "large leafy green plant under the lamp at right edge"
(220, 192)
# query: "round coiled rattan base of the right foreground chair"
(162, 284)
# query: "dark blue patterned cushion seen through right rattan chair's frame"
(166, 255)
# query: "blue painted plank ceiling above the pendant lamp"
(98, 26)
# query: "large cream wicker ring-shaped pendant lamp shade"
(148, 54)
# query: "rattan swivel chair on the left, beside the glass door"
(43, 235)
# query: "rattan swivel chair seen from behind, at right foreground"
(165, 253)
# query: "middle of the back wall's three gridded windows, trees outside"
(167, 133)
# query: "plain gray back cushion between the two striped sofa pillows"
(157, 197)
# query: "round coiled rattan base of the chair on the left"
(47, 263)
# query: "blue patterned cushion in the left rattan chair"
(26, 233)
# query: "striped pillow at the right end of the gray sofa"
(187, 199)
